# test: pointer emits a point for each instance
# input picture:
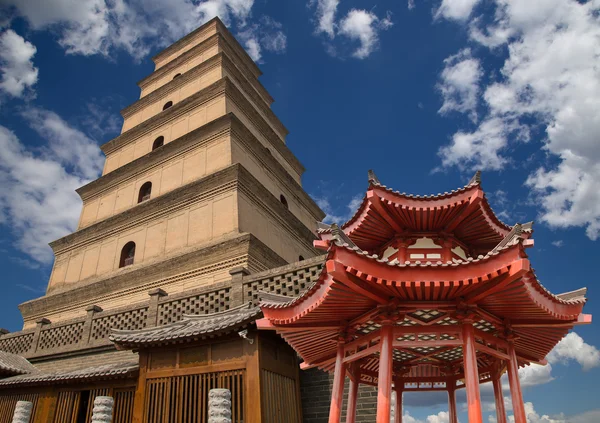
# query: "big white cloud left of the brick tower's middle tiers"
(38, 199)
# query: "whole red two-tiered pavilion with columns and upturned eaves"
(424, 293)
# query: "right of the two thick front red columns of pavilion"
(471, 373)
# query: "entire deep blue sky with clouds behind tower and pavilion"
(424, 92)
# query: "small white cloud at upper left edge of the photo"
(16, 65)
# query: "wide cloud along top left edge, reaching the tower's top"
(90, 27)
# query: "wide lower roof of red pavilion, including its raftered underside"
(355, 286)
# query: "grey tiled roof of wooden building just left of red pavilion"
(190, 328)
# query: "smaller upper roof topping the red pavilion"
(385, 214)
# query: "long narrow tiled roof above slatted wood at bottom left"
(109, 371)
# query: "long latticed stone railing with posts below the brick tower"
(92, 331)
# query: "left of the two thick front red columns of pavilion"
(384, 385)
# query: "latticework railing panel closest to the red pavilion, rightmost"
(289, 284)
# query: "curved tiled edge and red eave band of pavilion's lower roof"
(378, 280)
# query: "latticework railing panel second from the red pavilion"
(207, 303)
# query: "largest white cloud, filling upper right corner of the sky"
(550, 80)
